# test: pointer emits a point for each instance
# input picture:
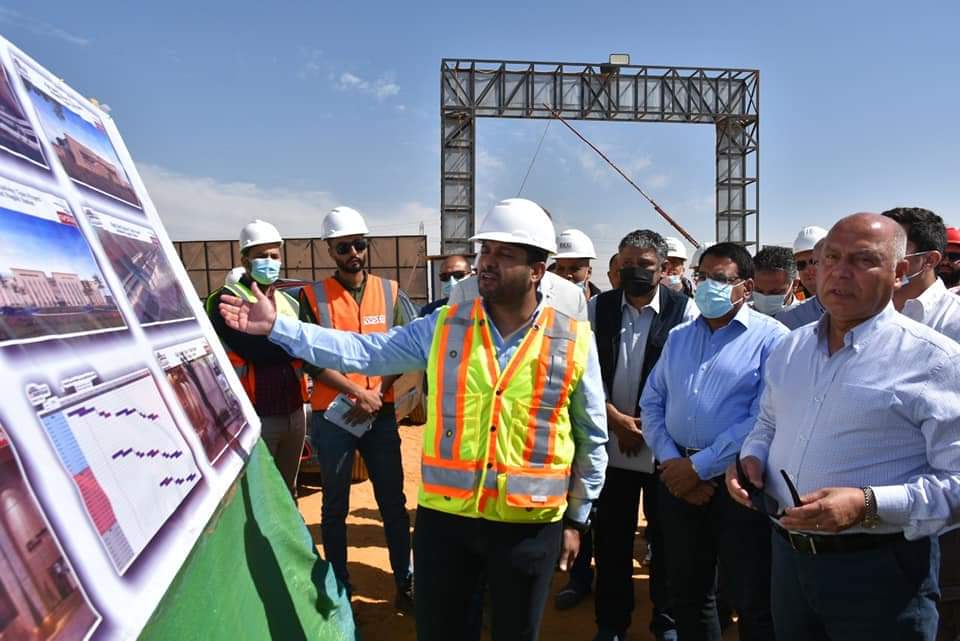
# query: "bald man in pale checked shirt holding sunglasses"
(869, 435)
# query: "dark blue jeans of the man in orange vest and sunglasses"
(380, 449)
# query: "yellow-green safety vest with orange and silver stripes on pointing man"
(498, 444)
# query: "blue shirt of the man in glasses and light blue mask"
(704, 392)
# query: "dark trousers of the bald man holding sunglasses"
(888, 593)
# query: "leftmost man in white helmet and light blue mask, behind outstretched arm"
(270, 377)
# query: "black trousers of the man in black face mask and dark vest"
(616, 524)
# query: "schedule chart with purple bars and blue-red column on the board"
(121, 447)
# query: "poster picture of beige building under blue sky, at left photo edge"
(50, 283)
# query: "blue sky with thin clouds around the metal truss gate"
(284, 109)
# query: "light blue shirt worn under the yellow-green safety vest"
(407, 348)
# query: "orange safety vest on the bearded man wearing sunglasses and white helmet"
(335, 308)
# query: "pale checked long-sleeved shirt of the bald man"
(883, 411)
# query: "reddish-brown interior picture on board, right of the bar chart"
(204, 393)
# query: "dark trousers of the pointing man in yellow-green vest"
(453, 553)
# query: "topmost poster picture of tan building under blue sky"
(79, 139)
